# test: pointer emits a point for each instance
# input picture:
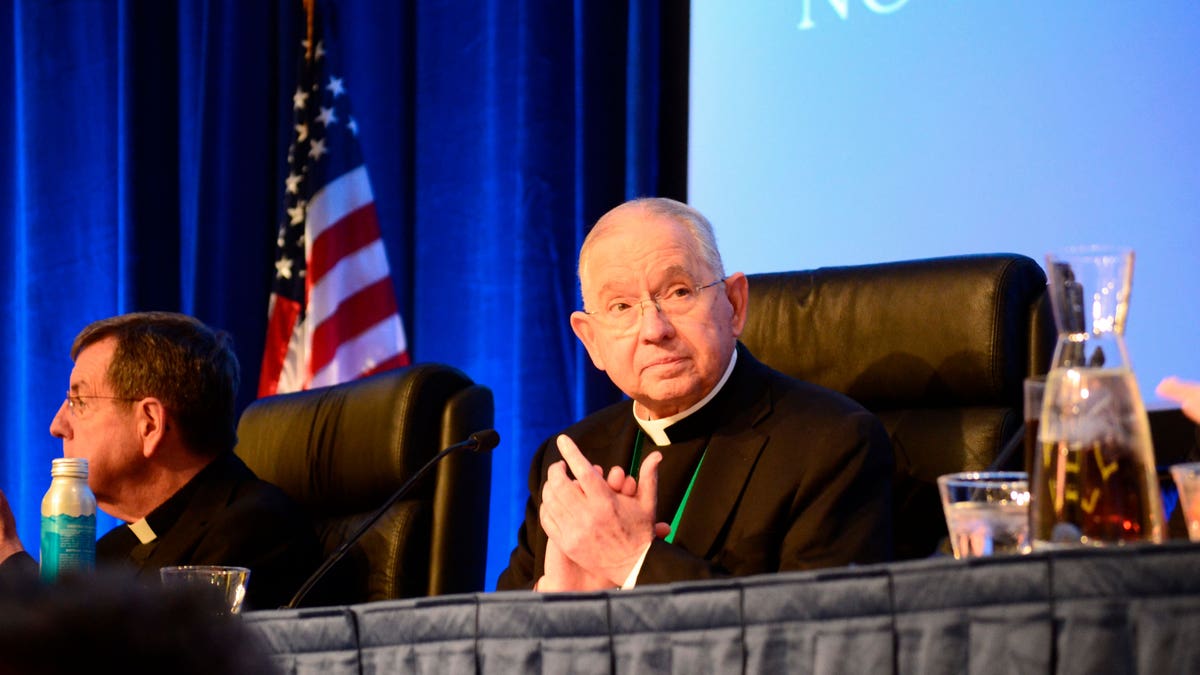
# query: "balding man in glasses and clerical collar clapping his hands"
(719, 465)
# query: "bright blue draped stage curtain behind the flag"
(146, 164)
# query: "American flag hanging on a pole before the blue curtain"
(333, 312)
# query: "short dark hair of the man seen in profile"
(179, 361)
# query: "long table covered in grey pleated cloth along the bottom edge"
(1123, 610)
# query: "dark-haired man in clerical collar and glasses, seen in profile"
(151, 407)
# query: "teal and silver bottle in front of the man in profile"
(69, 521)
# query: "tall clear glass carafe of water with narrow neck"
(1095, 481)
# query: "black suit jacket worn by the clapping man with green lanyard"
(795, 477)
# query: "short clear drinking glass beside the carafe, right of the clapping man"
(987, 513)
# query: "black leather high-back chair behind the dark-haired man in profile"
(341, 452)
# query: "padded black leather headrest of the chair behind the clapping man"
(950, 331)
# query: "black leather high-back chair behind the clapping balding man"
(937, 349)
